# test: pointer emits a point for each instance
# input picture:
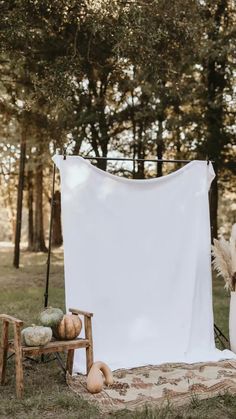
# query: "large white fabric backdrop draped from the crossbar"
(137, 254)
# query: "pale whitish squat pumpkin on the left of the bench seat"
(36, 335)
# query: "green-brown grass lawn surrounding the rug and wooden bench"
(46, 393)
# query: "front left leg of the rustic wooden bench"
(18, 362)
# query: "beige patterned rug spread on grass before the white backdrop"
(155, 385)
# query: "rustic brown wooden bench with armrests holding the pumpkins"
(21, 351)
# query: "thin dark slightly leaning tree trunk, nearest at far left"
(20, 189)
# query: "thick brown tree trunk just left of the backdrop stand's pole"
(39, 241)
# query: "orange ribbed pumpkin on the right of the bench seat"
(68, 328)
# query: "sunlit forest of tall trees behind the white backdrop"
(139, 79)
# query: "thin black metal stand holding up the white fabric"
(218, 333)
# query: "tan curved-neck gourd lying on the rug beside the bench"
(98, 374)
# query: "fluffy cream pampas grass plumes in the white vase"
(224, 259)
